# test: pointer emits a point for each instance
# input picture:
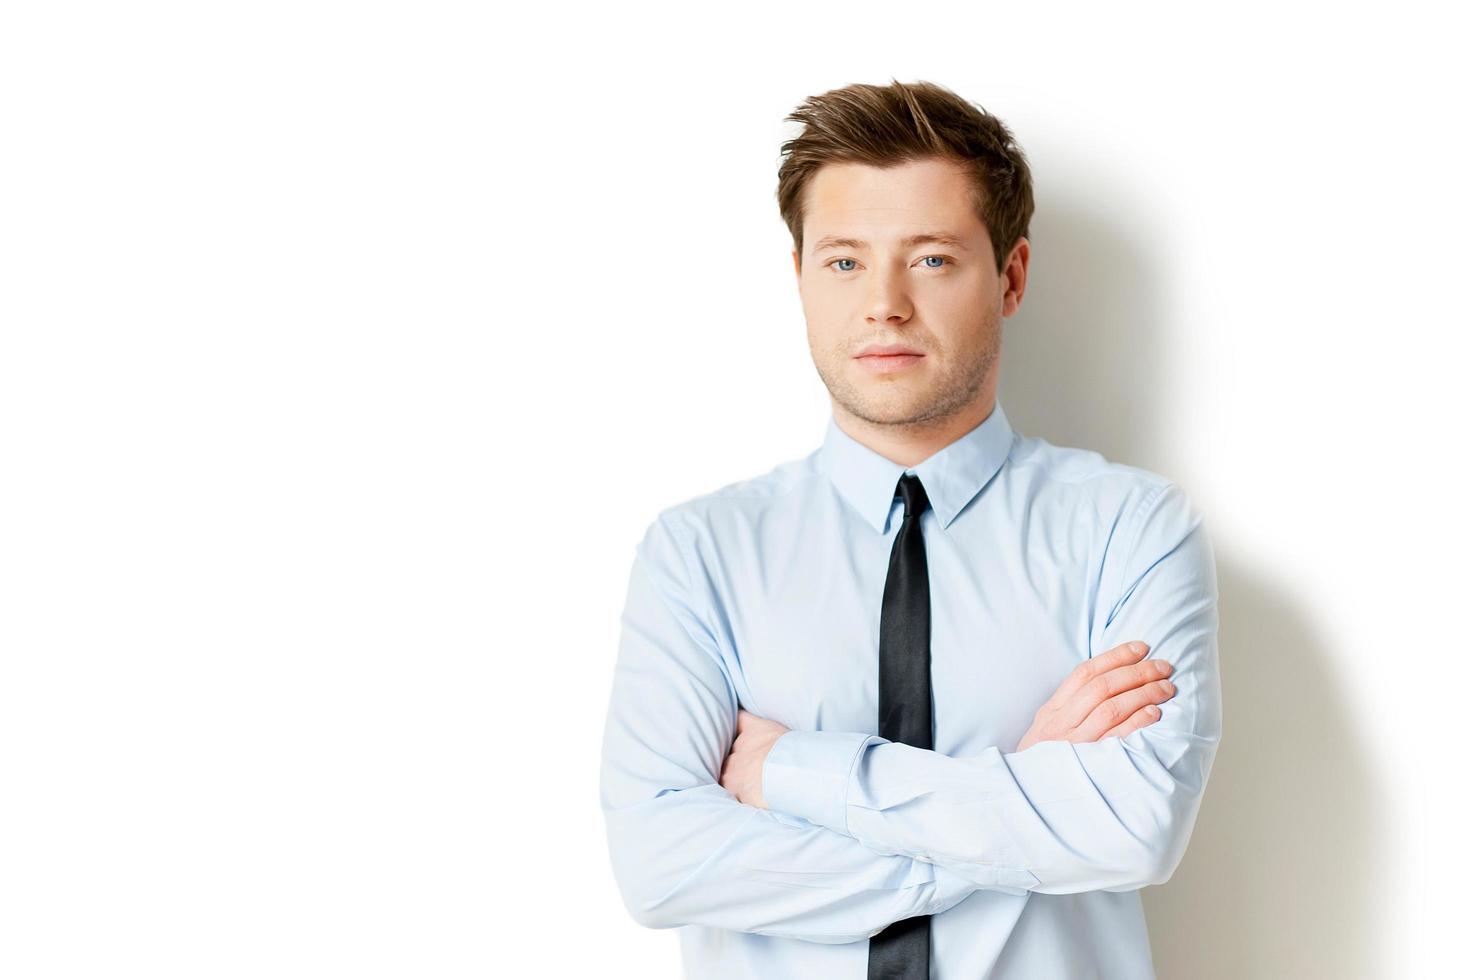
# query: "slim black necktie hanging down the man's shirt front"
(902, 951)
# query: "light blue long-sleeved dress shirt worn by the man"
(765, 595)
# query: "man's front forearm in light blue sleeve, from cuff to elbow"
(1057, 819)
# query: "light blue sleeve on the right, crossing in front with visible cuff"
(1072, 817)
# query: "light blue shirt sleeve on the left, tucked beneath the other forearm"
(684, 850)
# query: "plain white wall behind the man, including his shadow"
(350, 349)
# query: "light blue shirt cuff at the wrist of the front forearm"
(808, 773)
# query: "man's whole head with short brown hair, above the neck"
(874, 173)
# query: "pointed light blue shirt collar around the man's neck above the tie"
(952, 477)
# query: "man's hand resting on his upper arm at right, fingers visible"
(1111, 695)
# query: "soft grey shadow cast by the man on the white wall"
(1281, 878)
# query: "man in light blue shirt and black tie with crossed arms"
(886, 711)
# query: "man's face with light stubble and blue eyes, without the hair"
(942, 300)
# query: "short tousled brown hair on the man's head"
(885, 126)
